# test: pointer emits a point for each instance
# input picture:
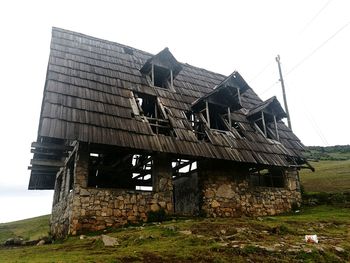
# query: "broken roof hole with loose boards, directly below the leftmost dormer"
(156, 114)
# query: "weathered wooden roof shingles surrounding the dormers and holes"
(87, 98)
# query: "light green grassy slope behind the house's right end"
(330, 176)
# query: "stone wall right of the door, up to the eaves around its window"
(226, 192)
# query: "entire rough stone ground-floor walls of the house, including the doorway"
(219, 189)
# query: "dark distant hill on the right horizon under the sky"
(337, 152)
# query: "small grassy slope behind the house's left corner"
(28, 229)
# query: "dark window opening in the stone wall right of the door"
(273, 177)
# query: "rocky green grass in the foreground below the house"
(266, 239)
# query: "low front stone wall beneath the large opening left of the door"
(97, 209)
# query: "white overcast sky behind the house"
(221, 36)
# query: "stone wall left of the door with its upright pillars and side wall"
(92, 209)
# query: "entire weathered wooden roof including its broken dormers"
(102, 92)
